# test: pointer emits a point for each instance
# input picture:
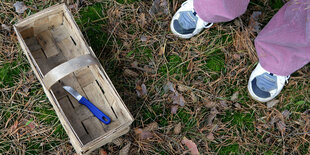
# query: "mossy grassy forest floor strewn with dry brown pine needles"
(213, 66)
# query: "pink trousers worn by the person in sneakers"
(283, 46)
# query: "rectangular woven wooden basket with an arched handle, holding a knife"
(59, 55)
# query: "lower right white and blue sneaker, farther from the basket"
(264, 86)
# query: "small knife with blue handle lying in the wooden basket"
(98, 113)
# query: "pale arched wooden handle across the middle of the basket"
(66, 68)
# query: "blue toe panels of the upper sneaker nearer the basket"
(186, 23)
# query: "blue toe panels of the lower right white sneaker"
(263, 84)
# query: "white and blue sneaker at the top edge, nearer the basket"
(186, 23)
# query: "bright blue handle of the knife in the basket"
(98, 113)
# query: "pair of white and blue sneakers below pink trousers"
(263, 86)
